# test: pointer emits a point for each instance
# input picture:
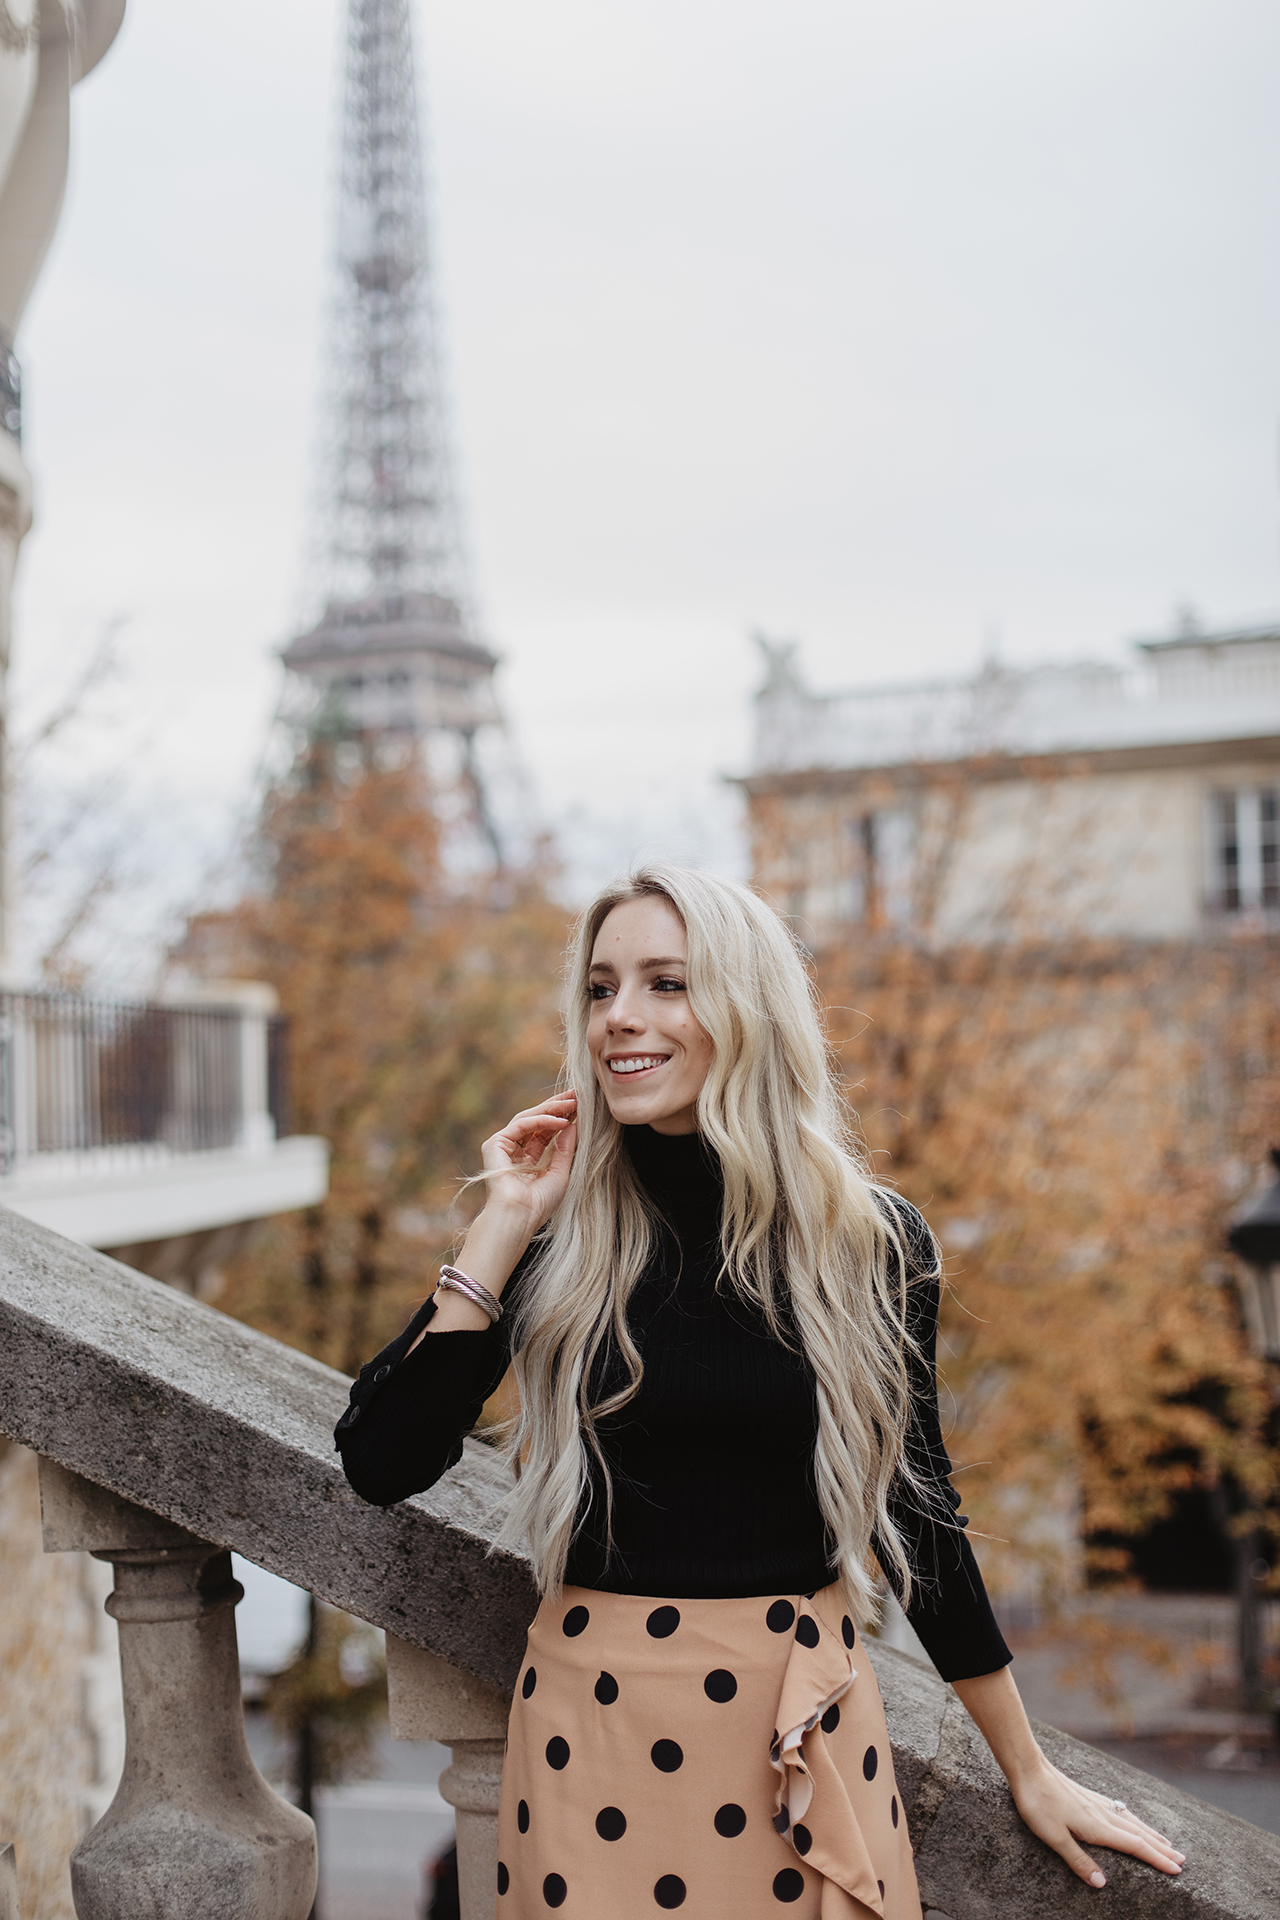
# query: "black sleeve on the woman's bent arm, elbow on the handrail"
(412, 1412)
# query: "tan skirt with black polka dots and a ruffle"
(726, 1758)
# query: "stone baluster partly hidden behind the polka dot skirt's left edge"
(433, 1700)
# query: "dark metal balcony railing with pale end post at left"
(85, 1076)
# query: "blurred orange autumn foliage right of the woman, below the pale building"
(1076, 1122)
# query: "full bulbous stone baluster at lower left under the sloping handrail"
(195, 1833)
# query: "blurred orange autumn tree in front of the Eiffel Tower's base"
(421, 1011)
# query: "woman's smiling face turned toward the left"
(648, 1049)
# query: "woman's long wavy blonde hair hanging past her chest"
(803, 1239)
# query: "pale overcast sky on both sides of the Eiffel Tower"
(905, 331)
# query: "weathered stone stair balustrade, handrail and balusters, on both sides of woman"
(187, 1433)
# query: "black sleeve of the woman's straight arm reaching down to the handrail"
(949, 1606)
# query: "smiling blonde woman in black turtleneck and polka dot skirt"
(724, 1345)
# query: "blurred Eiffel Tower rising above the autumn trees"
(394, 656)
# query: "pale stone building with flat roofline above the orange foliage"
(1102, 802)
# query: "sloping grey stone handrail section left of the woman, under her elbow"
(229, 1433)
